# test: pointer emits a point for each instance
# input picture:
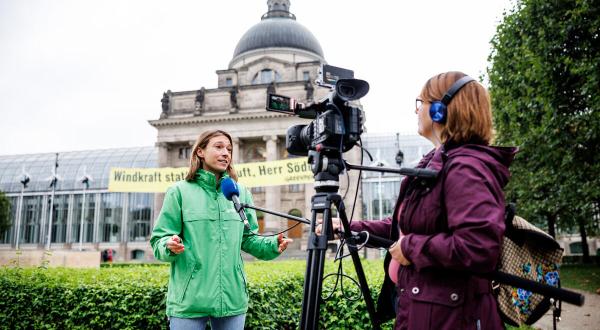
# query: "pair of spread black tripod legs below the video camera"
(317, 246)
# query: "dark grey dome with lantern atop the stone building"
(278, 28)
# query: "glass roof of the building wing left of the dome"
(72, 166)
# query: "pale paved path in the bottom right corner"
(575, 317)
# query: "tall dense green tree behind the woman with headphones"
(545, 86)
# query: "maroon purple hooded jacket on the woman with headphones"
(452, 228)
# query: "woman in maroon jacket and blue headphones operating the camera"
(451, 227)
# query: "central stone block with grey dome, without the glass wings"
(276, 55)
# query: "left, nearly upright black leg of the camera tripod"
(313, 280)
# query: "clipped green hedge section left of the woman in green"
(82, 299)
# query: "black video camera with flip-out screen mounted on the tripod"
(338, 122)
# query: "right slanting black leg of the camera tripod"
(357, 264)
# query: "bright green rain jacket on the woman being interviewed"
(208, 278)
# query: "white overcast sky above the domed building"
(79, 75)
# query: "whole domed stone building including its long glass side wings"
(81, 219)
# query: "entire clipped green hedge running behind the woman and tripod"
(134, 297)
